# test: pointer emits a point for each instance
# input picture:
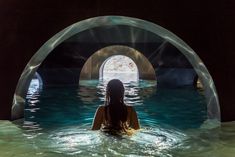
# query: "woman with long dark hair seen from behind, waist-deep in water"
(115, 116)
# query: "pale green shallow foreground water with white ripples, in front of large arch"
(80, 141)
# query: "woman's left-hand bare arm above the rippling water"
(98, 118)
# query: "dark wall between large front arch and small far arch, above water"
(69, 57)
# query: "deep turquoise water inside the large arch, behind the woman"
(181, 108)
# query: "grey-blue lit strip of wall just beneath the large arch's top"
(115, 34)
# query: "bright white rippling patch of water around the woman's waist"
(146, 142)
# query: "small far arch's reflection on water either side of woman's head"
(135, 92)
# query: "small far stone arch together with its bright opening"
(126, 56)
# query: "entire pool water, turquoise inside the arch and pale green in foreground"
(58, 120)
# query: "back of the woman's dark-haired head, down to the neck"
(115, 91)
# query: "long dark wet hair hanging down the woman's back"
(115, 104)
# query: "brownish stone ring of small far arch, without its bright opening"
(91, 69)
